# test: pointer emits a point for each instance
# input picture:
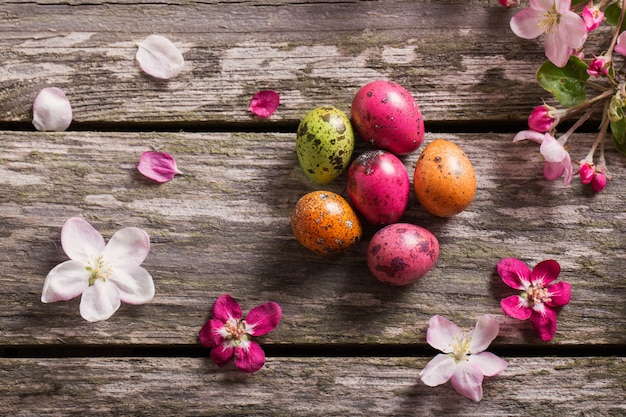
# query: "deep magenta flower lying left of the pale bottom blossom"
(229, 335)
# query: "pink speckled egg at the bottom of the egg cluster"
(401, 253)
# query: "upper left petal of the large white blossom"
(80, 240)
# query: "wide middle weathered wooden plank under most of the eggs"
(223, 227)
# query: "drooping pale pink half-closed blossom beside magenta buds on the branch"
(558, 162)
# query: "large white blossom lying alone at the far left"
(105, 275)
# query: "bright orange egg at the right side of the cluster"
(444, 179)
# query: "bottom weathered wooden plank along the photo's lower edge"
(304, 387)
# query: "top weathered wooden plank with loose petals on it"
(459, 59)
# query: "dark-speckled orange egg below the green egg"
(325, 223)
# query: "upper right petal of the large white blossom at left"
(127, 248)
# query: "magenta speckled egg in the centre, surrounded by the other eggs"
(379, 187)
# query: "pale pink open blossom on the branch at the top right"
(565, 30)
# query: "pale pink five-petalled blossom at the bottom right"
(464, 361)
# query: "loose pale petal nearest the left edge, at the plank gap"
(52, 110)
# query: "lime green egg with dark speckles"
(324, 144)
